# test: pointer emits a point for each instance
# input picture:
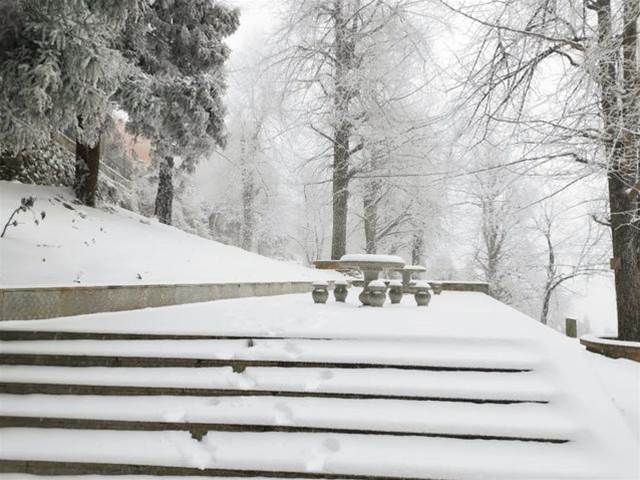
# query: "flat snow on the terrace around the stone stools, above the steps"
(298, 316)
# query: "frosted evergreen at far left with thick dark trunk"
(59, 69)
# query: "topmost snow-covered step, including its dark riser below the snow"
(457, 354)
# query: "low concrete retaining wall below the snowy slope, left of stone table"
(38, 303)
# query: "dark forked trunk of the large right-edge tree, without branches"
(621, 148)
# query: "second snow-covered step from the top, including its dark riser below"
(308, 382)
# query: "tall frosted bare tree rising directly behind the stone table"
(336, 81)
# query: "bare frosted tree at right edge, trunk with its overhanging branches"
(592, 52)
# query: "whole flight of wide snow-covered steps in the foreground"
(227, 405)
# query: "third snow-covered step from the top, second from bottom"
(288, 414)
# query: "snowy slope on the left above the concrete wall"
(81, 245)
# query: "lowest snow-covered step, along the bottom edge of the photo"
(242, 454)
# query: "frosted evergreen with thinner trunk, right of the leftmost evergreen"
(174, 94)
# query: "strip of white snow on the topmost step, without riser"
(457, 354)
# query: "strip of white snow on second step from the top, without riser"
(398, 383)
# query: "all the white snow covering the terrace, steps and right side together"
(586, 399)
